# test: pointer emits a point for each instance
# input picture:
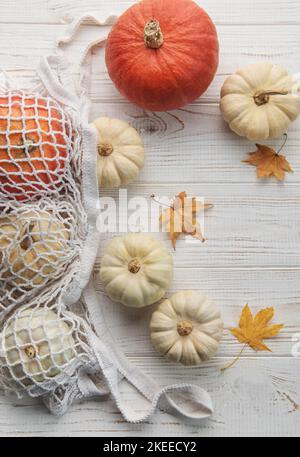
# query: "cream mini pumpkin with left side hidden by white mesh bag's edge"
(120, 152)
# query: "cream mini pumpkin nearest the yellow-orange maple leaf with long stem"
(187, 328)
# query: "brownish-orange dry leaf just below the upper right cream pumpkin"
(269, 162)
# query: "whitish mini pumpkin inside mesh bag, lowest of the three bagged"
(36, 345)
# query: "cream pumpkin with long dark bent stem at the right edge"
(260, 101)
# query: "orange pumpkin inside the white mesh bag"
(34, 145)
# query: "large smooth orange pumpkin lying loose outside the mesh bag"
(162, 54)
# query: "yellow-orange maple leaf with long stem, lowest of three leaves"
(252, 330)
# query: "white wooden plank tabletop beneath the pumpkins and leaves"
(252, 253)
